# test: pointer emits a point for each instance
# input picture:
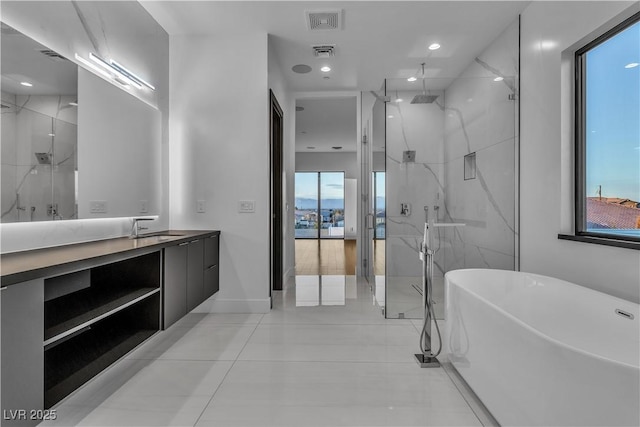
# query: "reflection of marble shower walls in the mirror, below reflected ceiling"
(39, 157)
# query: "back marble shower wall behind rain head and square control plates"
(419, 128)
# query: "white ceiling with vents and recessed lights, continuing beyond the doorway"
(379, 40)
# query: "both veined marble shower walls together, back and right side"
(475, 112)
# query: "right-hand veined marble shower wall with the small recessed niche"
(481, 118)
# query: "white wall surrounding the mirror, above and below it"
(123, 30)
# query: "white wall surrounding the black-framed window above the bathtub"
(549, 28)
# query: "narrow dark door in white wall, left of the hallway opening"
(276, 134)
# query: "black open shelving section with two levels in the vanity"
(95, 316)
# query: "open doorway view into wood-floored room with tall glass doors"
(326, 176)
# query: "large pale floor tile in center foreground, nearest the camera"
(334, 393)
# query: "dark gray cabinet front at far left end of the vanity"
(22, 351)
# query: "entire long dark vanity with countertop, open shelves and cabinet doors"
(69, 312)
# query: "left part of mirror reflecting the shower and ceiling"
(39, 131)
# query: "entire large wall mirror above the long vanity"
(74, 145)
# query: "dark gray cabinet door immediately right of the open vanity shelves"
(175, 283)
